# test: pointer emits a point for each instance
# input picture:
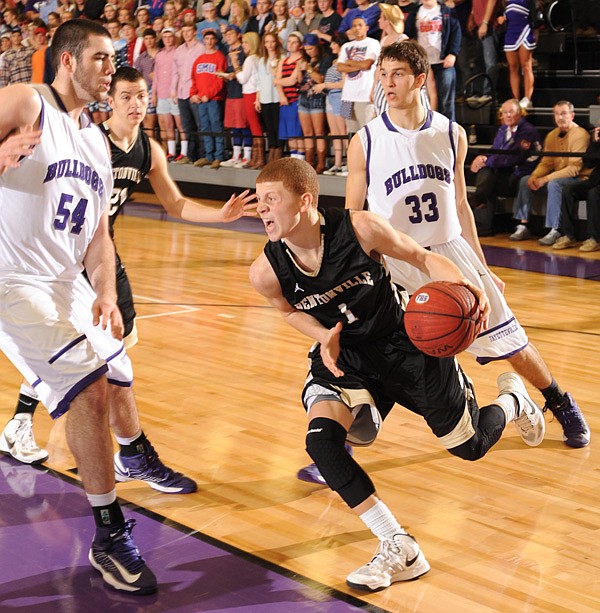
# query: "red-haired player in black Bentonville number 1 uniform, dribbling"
(322, 269)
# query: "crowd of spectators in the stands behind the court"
(230, 80)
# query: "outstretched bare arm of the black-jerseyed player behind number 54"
(177, 205)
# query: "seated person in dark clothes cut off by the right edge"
(588, 189)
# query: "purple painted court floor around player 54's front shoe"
(46, 530)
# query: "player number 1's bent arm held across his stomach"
(265, 282)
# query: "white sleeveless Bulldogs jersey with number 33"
(410, 176)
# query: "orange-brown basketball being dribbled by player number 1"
(442, 318)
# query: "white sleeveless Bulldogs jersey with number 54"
(51, 205)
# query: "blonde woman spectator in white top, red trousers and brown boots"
(247, 75)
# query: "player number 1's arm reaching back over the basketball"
(377, 236)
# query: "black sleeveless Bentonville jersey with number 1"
(349, 285)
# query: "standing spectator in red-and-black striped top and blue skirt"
(287, 84)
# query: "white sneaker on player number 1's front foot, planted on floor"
(398, 559)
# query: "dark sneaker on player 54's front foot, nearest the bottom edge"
(116, 557)
